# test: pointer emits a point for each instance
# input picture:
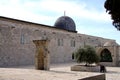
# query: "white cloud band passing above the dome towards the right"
(74, 9)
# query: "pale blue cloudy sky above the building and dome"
(89, 15)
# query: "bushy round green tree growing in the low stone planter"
(87, 55)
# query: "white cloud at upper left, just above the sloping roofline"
(19, 11)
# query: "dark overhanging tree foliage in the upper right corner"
(113, 8)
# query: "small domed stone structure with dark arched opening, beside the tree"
(109, 53)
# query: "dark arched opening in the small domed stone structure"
(105, 56)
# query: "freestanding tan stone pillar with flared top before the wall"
(42, 55)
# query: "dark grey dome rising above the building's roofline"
(66, 23)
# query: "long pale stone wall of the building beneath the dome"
(17, 47)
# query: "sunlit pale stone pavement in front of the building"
(57, 72)
